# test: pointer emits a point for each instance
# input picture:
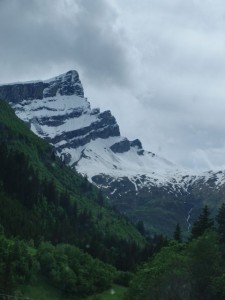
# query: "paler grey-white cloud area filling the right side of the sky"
(181, 88)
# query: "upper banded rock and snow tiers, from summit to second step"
(42, 106)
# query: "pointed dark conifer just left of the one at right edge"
(203, 223)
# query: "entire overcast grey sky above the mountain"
(158, 65)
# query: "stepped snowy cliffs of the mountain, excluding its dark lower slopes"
(57, 110)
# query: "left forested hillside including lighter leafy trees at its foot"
(50, 216)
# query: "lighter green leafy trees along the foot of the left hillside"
(66, 267)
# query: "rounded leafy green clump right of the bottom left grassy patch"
(73, 271)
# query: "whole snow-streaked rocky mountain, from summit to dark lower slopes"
(139, 183)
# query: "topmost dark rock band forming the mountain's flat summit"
(67, 84)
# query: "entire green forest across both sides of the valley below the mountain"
(57, 231)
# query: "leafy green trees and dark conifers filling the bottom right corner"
(188, 270)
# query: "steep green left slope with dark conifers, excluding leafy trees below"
(35, 185)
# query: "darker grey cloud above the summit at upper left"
(80, 34)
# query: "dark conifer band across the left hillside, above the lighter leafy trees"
(33, 208)
